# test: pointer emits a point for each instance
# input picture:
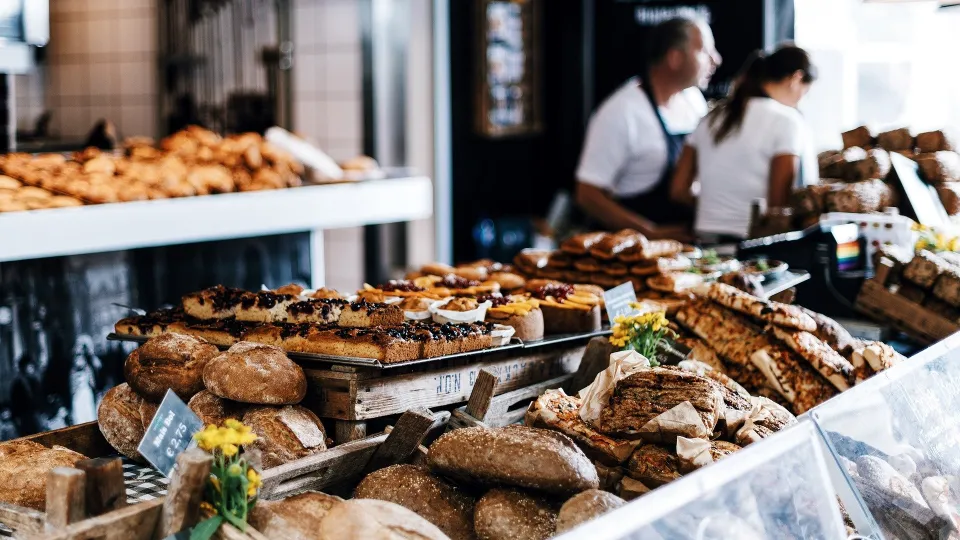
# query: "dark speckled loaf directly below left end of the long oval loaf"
(432, 498)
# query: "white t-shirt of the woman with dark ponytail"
(737, 171)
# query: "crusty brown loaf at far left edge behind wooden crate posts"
(23, 474)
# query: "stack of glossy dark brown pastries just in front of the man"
(658, 269)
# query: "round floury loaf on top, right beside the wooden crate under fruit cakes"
(255, 373)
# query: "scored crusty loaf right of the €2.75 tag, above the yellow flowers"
(285, 433)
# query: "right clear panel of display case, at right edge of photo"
(895, 442)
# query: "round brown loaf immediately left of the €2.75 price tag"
(121, 420)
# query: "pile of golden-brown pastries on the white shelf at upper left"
(194, 161)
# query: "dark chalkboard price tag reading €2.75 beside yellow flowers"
(170, 432)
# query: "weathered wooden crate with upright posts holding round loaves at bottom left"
(90, 501)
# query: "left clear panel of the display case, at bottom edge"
(777, 489)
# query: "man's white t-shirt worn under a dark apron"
(625, 151)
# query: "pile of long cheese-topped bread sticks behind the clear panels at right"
(786, 353)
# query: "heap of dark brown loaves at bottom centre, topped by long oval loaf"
(505, 483)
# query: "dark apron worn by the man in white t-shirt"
(656, 205)
